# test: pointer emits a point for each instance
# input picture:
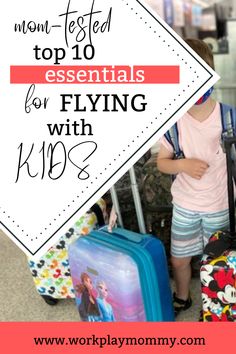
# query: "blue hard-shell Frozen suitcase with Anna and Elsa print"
(120, 276)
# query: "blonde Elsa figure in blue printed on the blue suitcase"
(105, 308)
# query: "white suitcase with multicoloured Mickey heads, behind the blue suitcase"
(51, 274)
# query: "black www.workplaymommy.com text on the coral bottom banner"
(119, 342)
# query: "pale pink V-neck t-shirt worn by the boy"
(201, 140)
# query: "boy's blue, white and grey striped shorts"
(191, 230)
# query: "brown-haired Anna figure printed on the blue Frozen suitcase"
(88, 307)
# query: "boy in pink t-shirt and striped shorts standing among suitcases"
(199, 191)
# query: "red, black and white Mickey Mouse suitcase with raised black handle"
(218, 270)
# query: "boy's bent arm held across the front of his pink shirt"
(193, 167)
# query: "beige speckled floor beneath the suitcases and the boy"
(19, 300)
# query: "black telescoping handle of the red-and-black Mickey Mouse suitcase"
(229, 144)
